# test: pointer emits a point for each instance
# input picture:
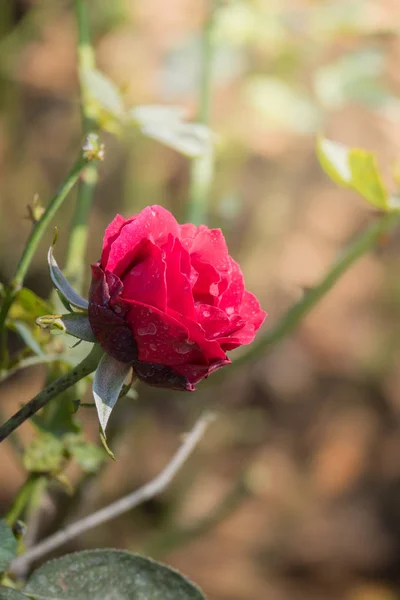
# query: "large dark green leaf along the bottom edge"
(109, 575)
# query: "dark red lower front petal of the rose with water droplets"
(161, 338)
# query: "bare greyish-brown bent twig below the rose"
(115, 509)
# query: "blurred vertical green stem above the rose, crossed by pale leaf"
(202, 167)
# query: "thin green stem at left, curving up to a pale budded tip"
(31, 246)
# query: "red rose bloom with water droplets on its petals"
(169, 299)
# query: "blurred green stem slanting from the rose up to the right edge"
(348, 256)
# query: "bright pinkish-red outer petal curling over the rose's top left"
(154, 223)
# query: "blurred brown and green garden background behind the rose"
(294, 493)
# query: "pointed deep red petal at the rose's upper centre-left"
(146, 282)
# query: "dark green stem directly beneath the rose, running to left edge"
(87, 366)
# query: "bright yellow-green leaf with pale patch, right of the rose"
(355, 169)
